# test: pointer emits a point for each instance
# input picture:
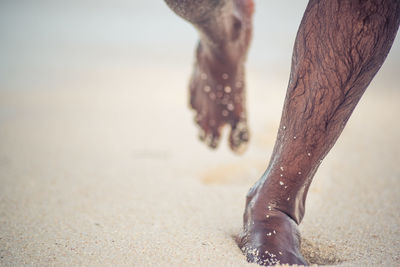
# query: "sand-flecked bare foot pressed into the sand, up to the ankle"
(269, 235)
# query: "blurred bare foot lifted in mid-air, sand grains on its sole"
(217, 86)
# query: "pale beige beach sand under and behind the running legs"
(100, 165)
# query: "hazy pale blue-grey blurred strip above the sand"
(46, 43)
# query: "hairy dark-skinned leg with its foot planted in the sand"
(339, 48)
